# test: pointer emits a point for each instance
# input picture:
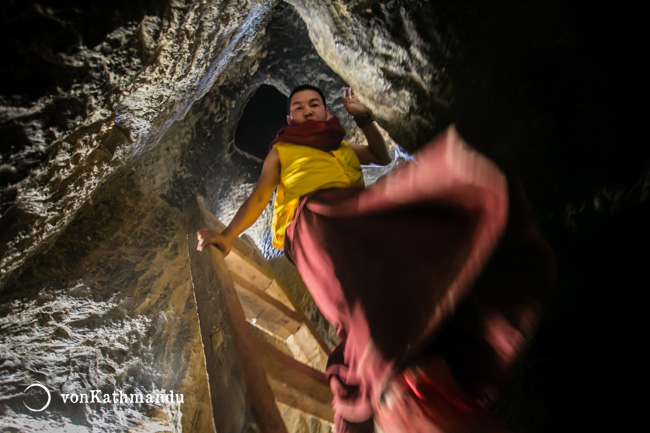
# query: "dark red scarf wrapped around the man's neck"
(325, 136)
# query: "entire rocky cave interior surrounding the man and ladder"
(112, 114)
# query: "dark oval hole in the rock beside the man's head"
(263, 116)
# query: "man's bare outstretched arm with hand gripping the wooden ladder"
(250, 211)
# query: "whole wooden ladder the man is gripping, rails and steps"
(247, 374)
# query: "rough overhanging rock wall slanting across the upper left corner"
(125, 92)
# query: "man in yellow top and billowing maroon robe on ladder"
(428, 330)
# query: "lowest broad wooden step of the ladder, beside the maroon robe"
(296, 384)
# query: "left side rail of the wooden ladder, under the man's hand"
(237, 380)
